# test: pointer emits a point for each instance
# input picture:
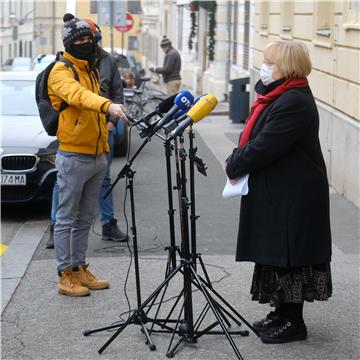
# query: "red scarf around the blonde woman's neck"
(262, 101)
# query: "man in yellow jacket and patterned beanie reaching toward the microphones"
(81, 158)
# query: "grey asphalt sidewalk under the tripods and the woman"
(40, 324)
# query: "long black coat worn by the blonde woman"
(284, 219)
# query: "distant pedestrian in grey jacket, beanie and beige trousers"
(170, 70)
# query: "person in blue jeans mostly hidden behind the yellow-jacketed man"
(111, 88)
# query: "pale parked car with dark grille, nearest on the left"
(27, 153)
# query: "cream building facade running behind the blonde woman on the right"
(330, 30)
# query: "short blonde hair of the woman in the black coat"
(291, 57)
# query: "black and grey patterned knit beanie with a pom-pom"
(74, 28)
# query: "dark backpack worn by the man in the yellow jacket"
(48, 115)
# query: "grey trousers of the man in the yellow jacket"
(79, 178)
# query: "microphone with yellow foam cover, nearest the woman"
(202, 108)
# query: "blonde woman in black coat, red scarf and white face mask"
(284, 219)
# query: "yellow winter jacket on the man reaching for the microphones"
(82, 125)
